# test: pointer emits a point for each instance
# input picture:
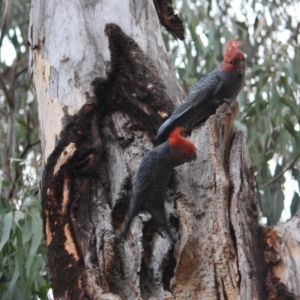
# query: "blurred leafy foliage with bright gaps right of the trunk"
(269, 114)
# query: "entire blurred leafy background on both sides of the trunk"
(269, 117)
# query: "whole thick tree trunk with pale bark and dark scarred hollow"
(103, 85)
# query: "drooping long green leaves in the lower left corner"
(22, 254)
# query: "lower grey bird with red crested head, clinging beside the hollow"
(151, 182)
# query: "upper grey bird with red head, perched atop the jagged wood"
(221, 85)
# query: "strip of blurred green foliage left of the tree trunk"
(22, 253)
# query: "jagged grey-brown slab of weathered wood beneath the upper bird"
(215, 259)
